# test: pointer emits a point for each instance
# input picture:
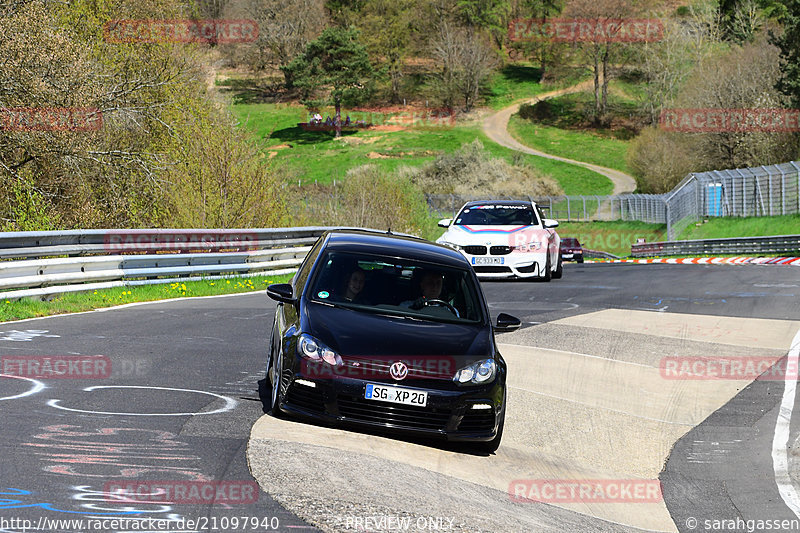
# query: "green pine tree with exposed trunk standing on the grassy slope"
(338, 63)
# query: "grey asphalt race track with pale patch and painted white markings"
(589, 399)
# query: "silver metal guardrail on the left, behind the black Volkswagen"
(94, 259)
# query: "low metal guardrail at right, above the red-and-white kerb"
(776, 244)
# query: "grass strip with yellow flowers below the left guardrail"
(87, 301)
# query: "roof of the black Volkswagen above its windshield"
(392, 245)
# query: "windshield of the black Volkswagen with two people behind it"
(400, 287)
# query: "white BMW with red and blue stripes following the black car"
(505, 239)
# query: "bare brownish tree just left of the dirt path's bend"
(464, 62)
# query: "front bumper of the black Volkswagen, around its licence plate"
(449, 413)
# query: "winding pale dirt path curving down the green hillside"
(496, 128)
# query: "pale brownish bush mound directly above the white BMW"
(471, 171)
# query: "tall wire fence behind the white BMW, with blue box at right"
(759, 191)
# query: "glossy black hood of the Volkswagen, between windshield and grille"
(356, 333)
